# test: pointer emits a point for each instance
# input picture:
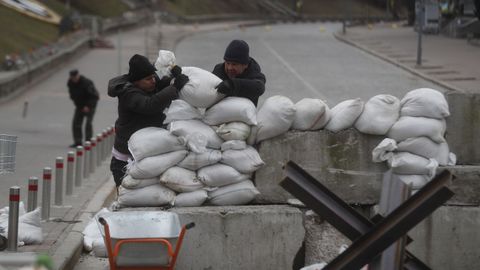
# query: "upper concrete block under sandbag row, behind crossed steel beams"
(342, 161)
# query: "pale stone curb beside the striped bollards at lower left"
(68, 253)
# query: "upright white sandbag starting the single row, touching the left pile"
(274, 118)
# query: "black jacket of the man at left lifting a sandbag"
(138, 109)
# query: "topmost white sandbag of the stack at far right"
(424, 102)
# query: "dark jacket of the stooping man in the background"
(83, 93)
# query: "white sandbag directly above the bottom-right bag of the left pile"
(218, 175)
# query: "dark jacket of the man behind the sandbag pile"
(250, 84)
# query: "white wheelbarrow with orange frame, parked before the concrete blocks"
(142, 239)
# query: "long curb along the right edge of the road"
(449, 87)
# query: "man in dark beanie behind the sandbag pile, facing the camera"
(241, 74)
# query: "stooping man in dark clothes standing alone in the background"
(85, 97)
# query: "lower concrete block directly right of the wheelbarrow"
(241, 237)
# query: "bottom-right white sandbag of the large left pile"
(235, 194)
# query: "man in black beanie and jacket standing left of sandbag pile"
(142, 98)
